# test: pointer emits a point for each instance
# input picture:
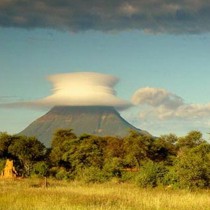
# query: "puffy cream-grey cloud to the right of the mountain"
(161, 104)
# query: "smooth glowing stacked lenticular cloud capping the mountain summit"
(82, 89)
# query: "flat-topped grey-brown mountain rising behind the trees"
(97, 120)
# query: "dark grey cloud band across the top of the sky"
(161, 16)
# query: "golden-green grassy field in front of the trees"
(26, 194)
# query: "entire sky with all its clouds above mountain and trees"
(149, 59)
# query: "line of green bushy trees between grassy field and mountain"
(179, 162)
